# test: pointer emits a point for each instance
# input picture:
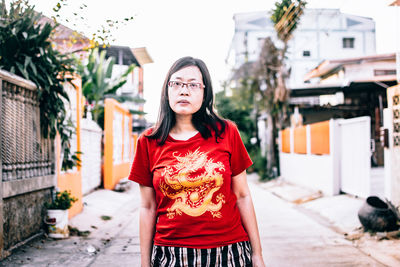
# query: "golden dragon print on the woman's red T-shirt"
(193, 194)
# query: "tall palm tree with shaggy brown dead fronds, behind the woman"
(272, 72)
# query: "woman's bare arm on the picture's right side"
(248, 215)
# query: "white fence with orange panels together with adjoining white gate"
(330, 156)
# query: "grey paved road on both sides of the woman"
(289, 238)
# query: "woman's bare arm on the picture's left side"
(147, 223)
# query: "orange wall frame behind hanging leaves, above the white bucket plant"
(72, 180)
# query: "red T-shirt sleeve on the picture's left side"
(140, 170)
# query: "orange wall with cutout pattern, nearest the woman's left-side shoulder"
(114, 172)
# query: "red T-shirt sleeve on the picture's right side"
(240, 159)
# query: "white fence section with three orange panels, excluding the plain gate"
(307, 156)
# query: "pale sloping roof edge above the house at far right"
(329, 65)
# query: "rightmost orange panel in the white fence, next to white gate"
(320, 138)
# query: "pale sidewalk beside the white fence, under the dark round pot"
(340, 214)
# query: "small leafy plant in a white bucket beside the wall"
(57, 214)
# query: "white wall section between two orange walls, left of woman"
(91, 135)
